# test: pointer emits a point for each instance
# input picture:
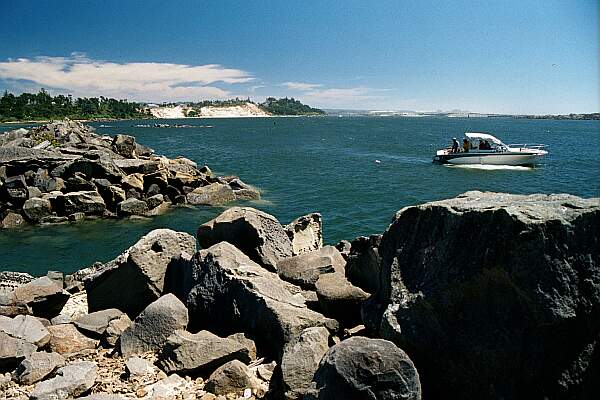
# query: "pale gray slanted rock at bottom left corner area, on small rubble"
(71, 381)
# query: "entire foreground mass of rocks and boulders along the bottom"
(486, 295)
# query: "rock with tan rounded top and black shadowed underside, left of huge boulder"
(339, 299)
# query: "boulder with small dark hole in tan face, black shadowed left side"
(136, 278)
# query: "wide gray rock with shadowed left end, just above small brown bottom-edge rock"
(199, 353)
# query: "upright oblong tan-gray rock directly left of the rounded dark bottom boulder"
(301, 358)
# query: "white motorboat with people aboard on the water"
(483, 148)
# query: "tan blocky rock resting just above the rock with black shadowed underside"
(304, 269)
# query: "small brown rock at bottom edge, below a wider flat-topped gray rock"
(231, 378)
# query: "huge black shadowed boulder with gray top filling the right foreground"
(495, 295)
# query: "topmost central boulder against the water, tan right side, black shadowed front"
(257, 234)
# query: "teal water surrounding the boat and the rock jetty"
(321, 164)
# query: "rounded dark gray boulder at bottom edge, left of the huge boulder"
(360, 368)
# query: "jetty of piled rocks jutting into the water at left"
(64, 171)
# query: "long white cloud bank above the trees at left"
(83, 76)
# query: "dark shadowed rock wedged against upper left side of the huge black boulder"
(364, 264)
